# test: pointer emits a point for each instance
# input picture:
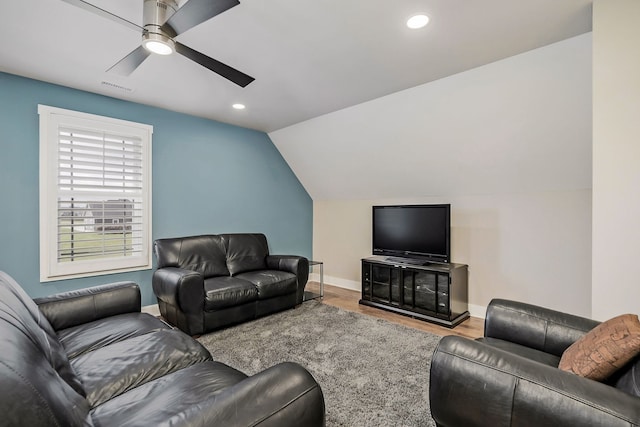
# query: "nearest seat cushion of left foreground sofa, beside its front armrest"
(174, 398)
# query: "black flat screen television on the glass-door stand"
(418, 232)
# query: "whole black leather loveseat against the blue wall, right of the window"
(211, 281)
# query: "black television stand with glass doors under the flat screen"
(432, 292)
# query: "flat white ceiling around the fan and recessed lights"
(309, 57)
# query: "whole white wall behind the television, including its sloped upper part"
(507, 144)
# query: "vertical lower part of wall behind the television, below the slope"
(533, 247)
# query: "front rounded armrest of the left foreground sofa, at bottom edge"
(282, 395)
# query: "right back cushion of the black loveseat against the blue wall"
(246, 252)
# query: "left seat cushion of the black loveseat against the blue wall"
(223, 292)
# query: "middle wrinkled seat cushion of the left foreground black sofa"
(114, 369)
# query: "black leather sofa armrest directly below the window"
(73, 308)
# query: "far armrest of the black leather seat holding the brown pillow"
(533, 326)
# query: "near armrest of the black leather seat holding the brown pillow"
(473, 384)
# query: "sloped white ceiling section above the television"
(519, 125)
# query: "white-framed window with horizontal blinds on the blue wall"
(95, 194)
